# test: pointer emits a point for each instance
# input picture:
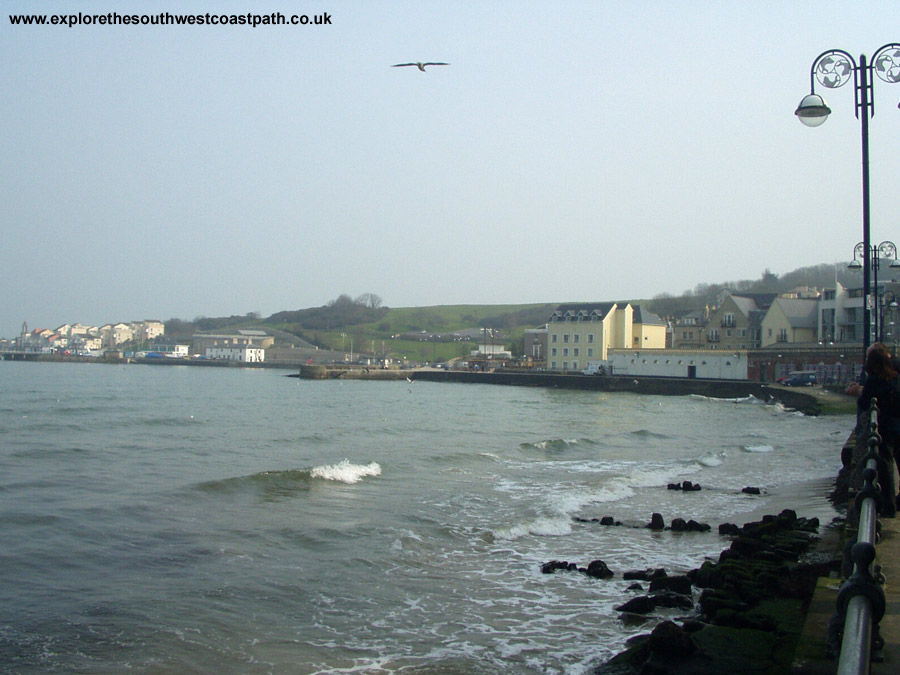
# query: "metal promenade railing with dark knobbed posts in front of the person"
(853, 630)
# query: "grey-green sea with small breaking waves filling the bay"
(186, 519)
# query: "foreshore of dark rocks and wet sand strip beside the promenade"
(762, 630)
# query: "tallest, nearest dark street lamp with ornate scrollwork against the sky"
(833, 69)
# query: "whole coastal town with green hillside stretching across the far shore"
(808, 332)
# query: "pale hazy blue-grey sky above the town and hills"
(571, 151)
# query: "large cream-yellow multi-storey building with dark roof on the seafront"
(580, 333)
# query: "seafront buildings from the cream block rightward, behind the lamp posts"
(744, 336)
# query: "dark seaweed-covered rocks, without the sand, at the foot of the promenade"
(742, 614)
